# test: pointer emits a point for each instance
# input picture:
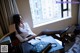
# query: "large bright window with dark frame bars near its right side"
(48, 11)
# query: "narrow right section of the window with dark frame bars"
(66, 8)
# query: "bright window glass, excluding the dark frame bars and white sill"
(43, 11)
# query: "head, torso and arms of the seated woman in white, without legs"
(24, 32)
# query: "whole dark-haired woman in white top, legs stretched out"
(24, 32)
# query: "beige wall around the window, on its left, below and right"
(24, 9)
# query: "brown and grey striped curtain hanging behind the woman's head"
(7, 9)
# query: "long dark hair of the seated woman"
(16, 21)
